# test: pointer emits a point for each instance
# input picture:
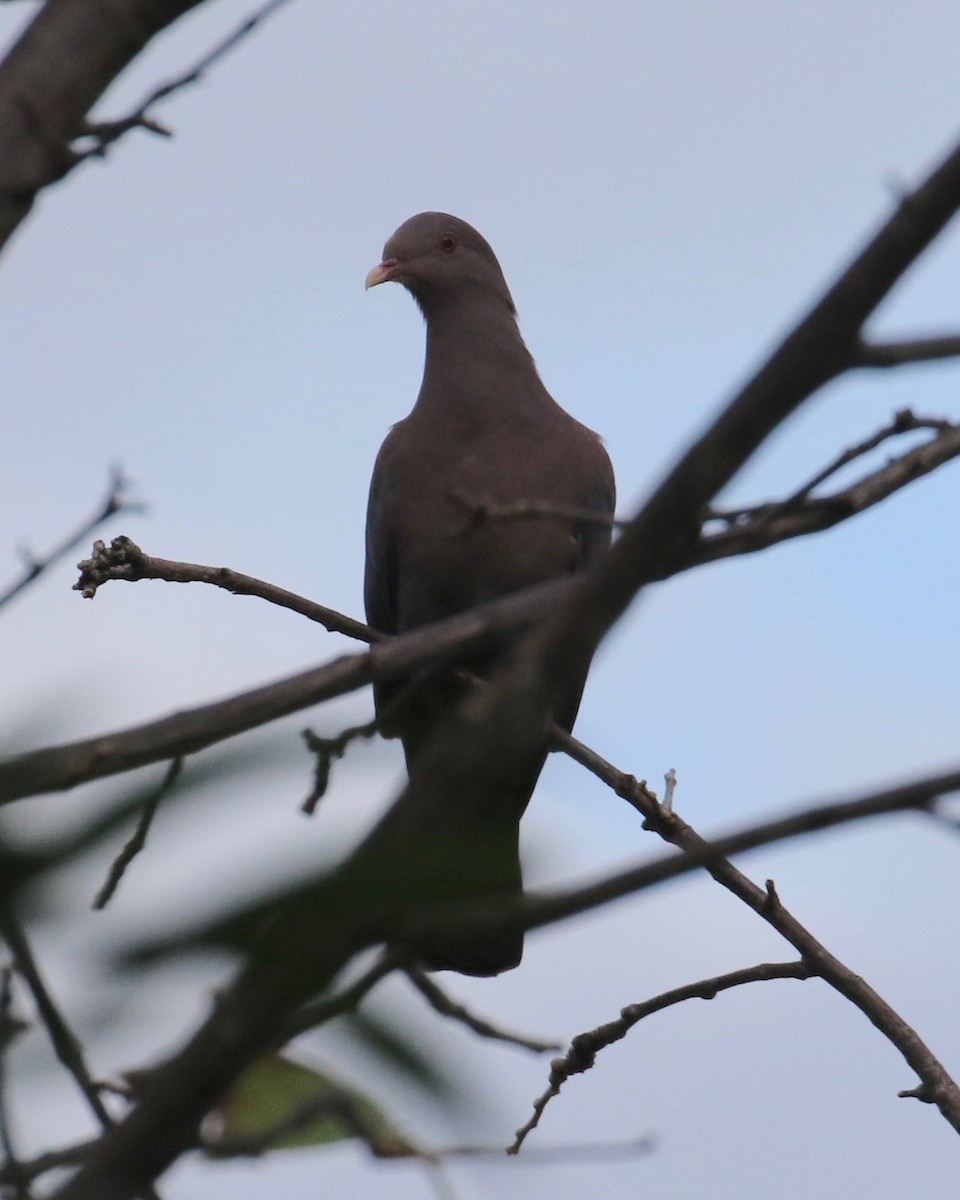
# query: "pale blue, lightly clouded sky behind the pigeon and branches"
(668, 187)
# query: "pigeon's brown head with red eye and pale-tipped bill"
(439, 259)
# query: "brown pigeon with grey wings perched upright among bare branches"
(487, 488)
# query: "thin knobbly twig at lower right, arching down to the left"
(585, 1047)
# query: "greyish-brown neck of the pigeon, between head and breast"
(476, 353)
